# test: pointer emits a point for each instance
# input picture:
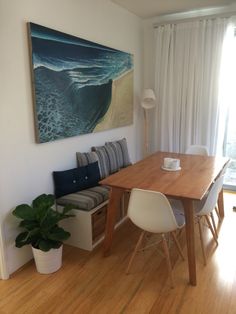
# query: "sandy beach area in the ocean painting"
(120, 112)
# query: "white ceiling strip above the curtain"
(152, 8)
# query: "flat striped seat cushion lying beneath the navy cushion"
(86, 199)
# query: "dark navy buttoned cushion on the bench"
(76, 179)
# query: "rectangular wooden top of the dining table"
(192, 181)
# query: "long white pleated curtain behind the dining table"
(187, 64)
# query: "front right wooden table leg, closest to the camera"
(190, 239)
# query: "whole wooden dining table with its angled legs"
(188, 184)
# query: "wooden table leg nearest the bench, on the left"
(113, 207)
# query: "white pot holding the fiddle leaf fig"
(48, 262)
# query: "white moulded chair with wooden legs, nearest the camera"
(152, 212)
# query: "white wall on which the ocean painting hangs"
(26, 167)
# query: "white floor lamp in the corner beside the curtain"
(148, 102)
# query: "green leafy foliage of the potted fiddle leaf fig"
(40, 223)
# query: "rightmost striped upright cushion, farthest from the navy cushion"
(121, 151)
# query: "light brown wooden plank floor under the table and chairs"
(90, 283)
